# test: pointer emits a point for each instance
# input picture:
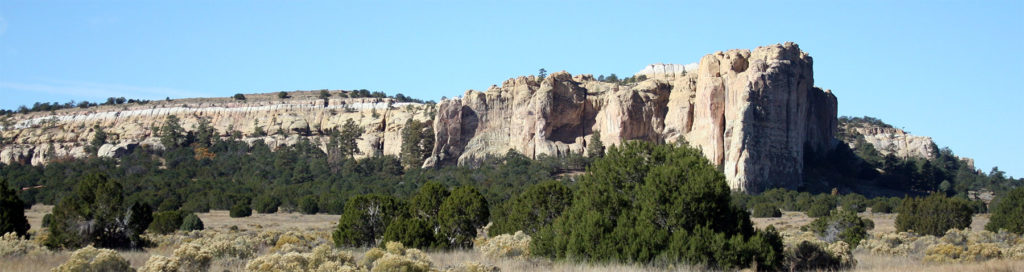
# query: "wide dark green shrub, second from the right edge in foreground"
(933, 215)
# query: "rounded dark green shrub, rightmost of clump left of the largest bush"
(460, 216)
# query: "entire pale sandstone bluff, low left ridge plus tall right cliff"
(754, 113)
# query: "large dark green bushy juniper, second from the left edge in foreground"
(97, 202)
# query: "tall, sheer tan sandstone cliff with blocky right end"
(753, 113)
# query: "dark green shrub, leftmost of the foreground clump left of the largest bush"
(366, 219)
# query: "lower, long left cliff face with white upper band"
(40, 138)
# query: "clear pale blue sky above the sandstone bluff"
(950, 70)
